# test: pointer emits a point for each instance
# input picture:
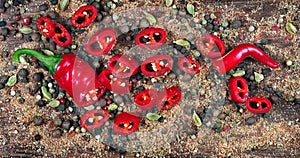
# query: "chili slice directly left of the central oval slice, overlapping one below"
(124, 61)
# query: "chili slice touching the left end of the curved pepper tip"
(211, 41)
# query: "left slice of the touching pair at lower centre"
(146, 99)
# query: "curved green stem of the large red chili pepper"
(49, 61)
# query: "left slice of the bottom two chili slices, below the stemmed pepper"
(93, 119)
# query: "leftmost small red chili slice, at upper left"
(46, 26)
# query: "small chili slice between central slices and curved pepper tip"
(189, 65)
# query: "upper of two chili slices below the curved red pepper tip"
(238, 89)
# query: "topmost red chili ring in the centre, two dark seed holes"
(150, 32)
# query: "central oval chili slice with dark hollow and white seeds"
(157, 65)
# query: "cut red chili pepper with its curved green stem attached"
(72, 74)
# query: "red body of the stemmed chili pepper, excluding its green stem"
(77, 78)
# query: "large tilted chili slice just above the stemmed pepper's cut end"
(101, 42)
